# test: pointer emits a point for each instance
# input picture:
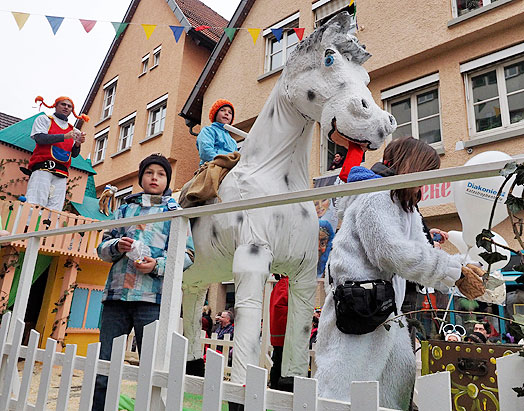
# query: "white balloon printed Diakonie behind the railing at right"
(474, 198)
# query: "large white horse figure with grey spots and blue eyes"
(323, 81)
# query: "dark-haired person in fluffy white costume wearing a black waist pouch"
(381, 235)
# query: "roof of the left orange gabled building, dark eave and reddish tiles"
(190, 14)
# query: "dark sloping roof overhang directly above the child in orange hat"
(192, 109)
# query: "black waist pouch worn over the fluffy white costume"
(361, 306)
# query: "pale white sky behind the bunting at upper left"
(34, 62)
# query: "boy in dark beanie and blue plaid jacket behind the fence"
(133, 289)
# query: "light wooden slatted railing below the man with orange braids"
(20, 218)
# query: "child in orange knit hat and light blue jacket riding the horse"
(214, 139)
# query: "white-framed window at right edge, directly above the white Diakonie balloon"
(495, 97)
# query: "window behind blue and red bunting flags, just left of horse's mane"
(277, 52)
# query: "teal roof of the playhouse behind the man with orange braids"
(18, 135)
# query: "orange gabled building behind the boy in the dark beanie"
(136, 97)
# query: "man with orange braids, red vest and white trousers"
(57, 142)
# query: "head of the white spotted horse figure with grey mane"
(325, 81)
